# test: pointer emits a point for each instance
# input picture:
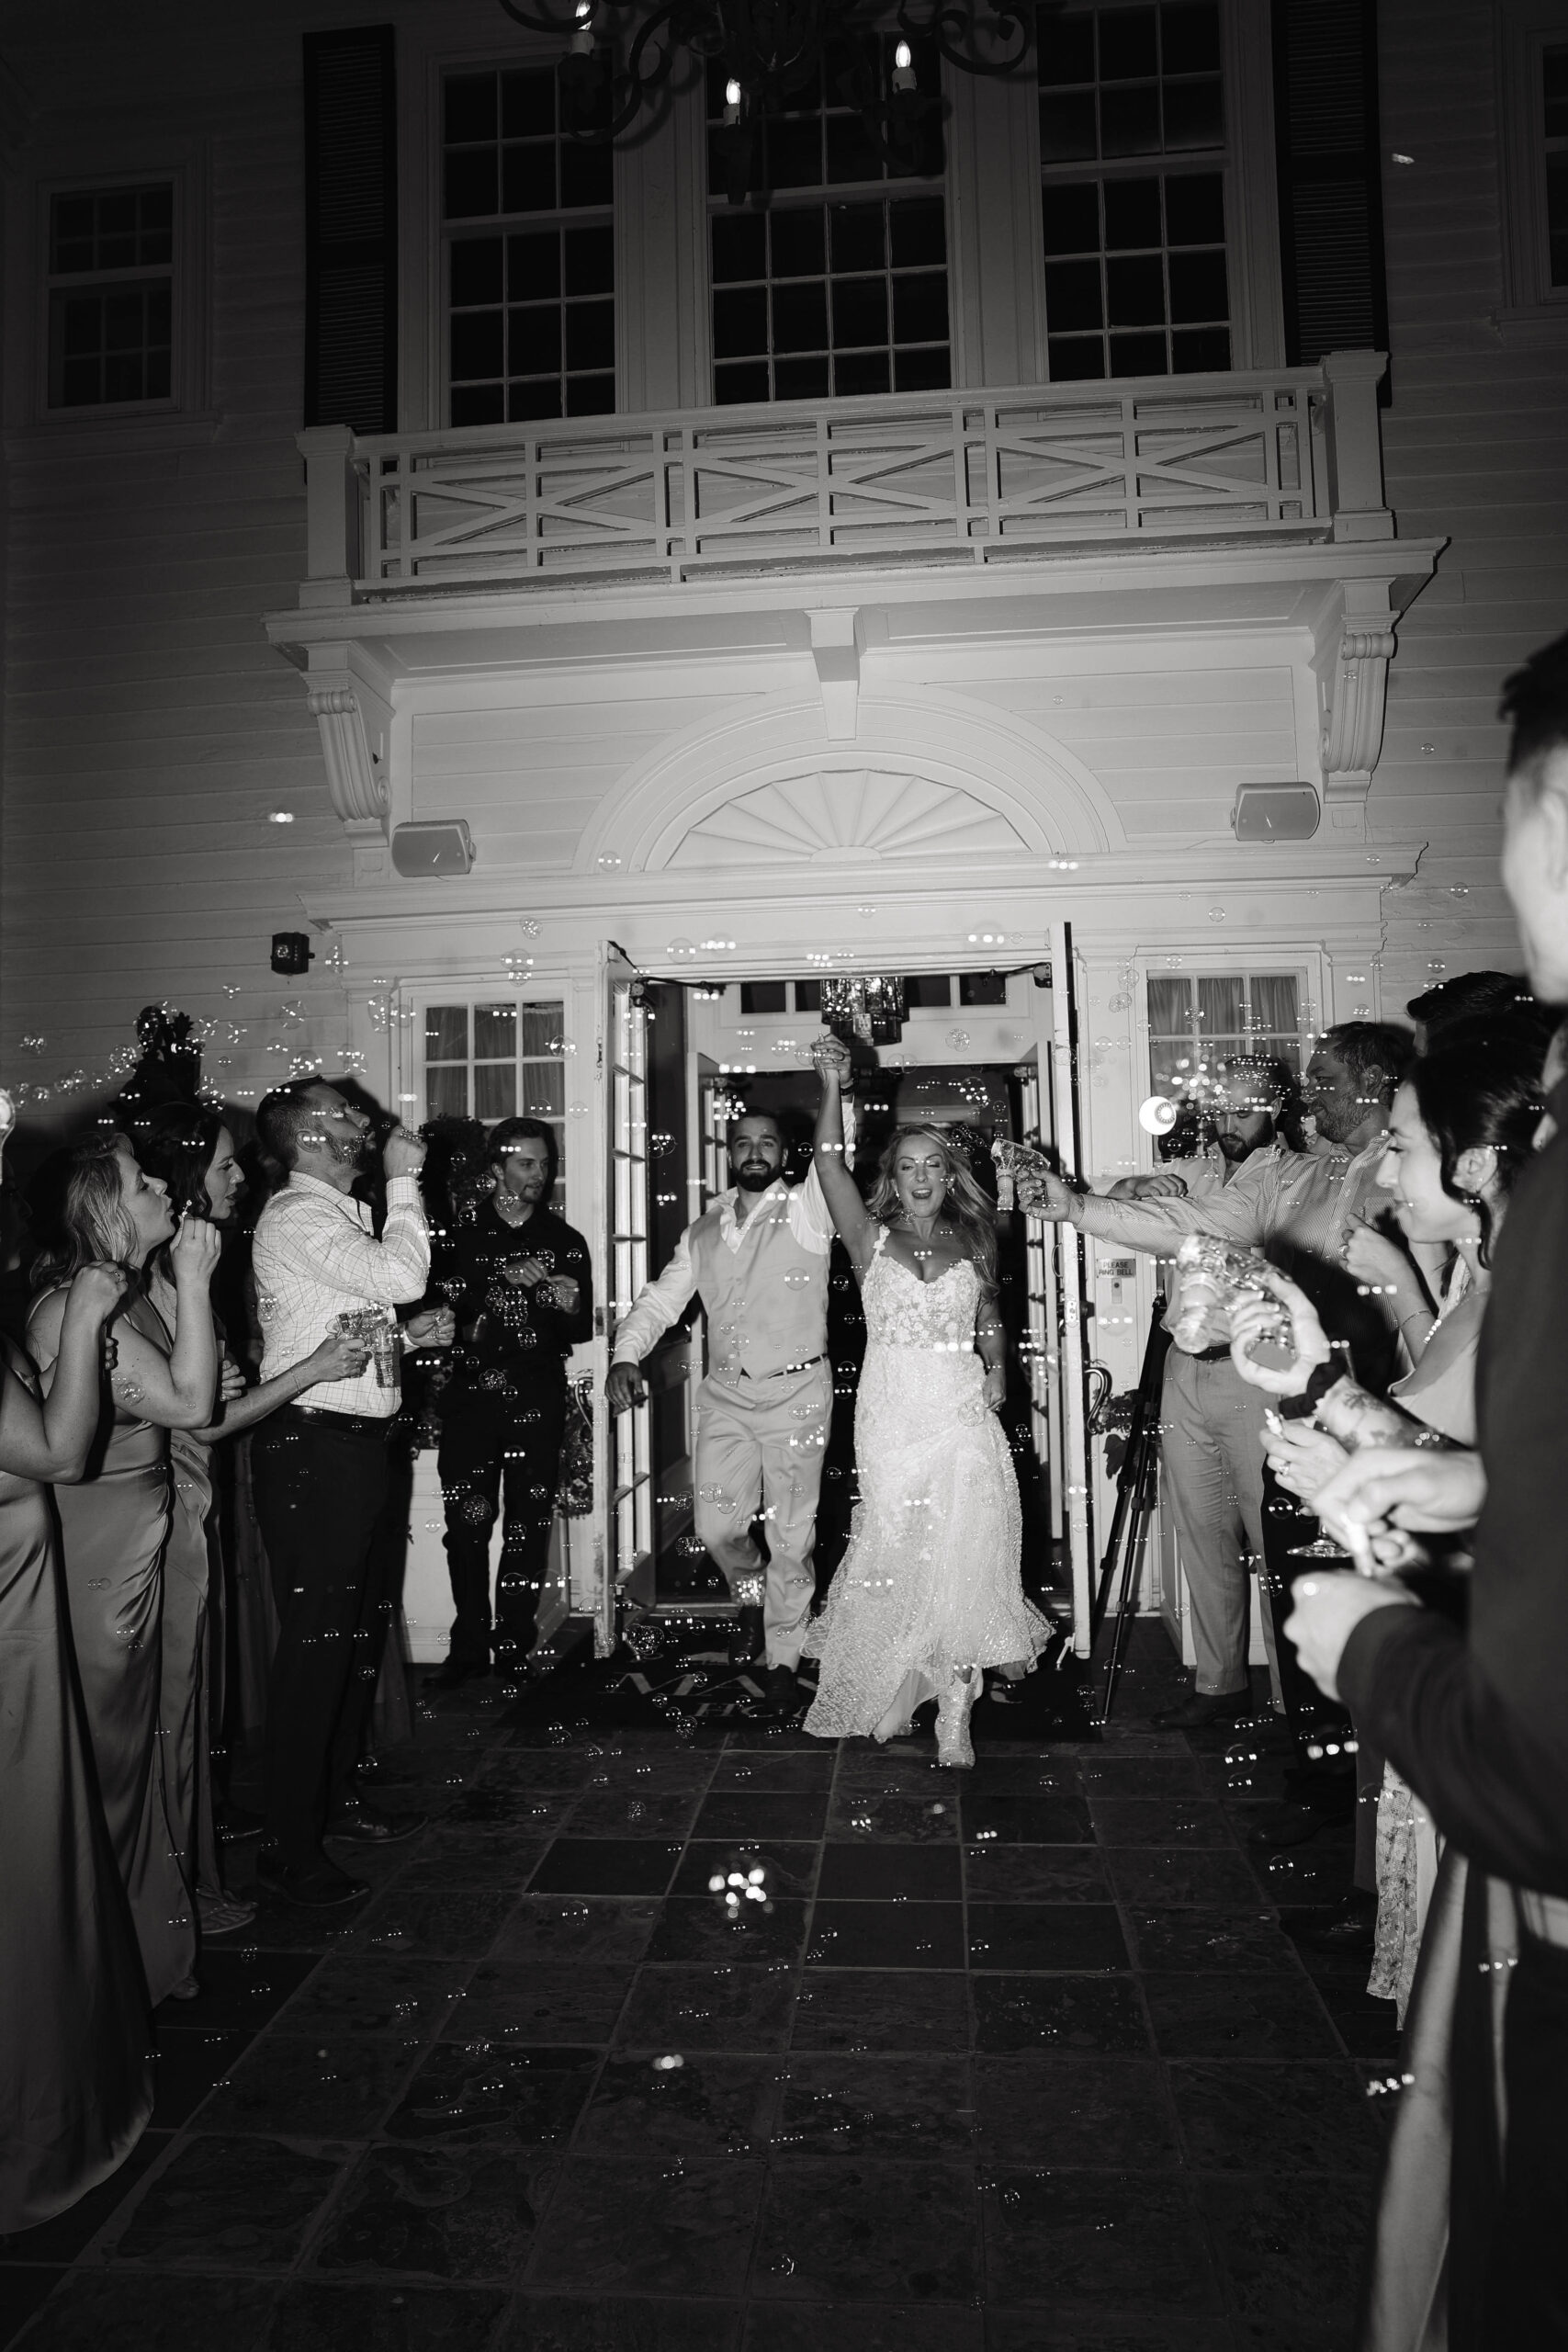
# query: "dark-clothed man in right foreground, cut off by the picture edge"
(1477, 1720)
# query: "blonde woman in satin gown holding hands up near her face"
(116, 1521)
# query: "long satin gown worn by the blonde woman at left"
(114, 1535)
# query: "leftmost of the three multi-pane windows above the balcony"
(532, 298)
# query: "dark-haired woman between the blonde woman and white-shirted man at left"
(192, 1154)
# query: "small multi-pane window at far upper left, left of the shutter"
(112, 298)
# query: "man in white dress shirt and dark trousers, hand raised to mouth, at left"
(321, 1466)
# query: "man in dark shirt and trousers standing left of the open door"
(521, 1288)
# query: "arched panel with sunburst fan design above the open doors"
(927, 780)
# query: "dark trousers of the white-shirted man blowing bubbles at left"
(321, 1483)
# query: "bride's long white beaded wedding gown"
(930, 1584)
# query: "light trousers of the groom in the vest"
(760, 1448)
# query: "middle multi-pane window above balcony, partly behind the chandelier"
(838, 283)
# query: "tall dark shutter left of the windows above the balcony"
(351, 232)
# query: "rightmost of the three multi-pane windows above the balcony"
(1130, 102)
